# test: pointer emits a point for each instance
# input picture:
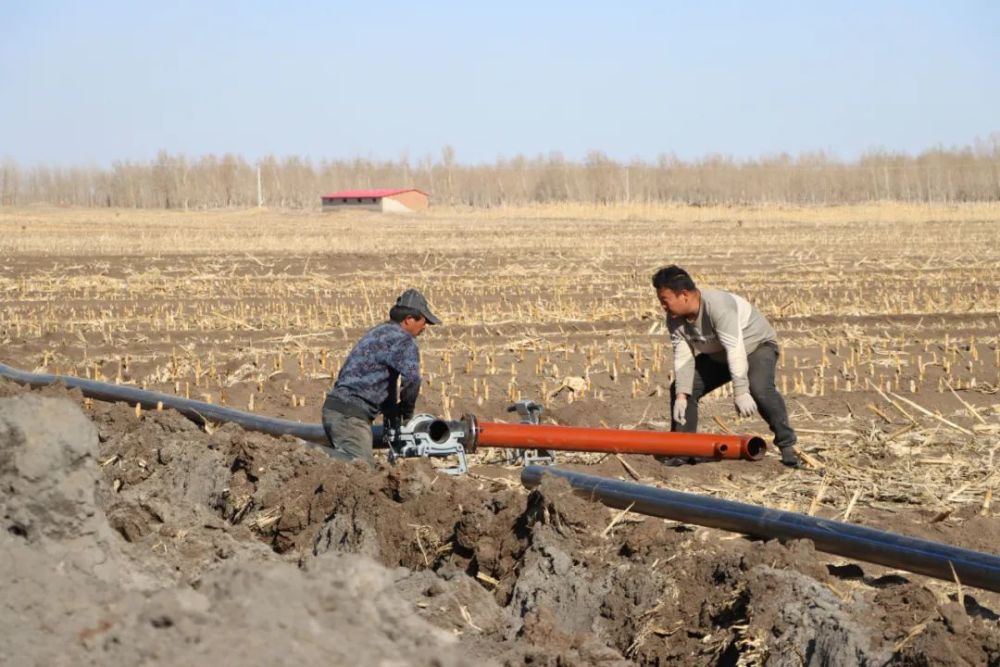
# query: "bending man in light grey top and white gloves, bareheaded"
(719, 337)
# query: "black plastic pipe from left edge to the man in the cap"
(198, 411)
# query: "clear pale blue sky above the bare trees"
(92, 82)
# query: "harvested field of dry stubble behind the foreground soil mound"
(878, 308)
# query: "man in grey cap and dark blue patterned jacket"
(366, 384)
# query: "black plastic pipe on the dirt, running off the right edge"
(972, 568)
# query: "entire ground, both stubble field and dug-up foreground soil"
(168, 543)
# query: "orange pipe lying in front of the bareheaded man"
(617, 441)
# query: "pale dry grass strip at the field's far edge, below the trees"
(47, 231)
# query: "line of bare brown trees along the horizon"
(177, 182)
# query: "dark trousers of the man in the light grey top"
(710, 374)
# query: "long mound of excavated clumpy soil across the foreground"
(131, 539)
